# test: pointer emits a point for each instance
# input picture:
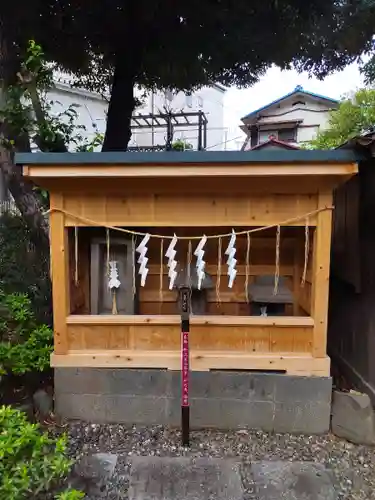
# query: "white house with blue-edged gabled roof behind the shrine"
(295, 118)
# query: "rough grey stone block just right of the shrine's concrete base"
(353, 417)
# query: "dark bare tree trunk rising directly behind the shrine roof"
(121, 104)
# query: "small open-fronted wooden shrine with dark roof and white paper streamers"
(248, 232)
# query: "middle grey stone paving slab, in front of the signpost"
(156, 478)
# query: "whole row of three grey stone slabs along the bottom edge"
(188, 478)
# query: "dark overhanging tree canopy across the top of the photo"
(322, 35)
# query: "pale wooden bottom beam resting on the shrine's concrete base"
(294, 363)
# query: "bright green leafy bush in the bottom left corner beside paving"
(31, 462)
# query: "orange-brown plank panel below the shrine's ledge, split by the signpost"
(249, 338)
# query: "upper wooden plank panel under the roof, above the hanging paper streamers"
(188, 209)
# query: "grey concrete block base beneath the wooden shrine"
(219, 399)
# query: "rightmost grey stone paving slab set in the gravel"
(292, 481)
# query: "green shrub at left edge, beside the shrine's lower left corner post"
(24, 345)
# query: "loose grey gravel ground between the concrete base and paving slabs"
(352, 466)
